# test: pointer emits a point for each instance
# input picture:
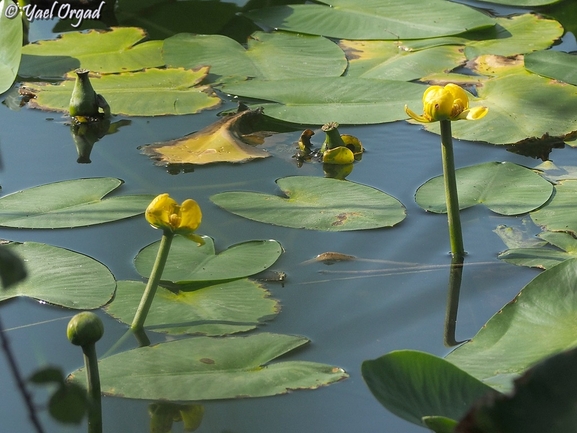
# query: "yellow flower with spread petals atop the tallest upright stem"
(446, 103)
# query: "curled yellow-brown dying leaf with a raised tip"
(225, 140)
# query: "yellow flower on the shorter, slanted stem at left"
(166, 214)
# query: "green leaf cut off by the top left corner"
(11, 47)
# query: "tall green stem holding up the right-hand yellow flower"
(451, 197)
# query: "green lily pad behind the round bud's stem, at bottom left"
(205, 368)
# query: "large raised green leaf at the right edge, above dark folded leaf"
(536, 324)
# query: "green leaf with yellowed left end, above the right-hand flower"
(384, 60)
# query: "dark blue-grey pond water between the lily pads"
(351, 311)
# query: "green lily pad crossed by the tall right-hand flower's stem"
(504, 187)
